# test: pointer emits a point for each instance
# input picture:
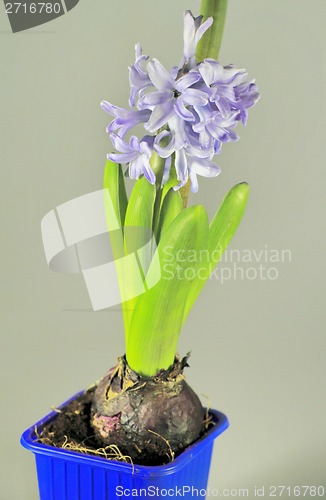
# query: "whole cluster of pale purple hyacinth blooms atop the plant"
(187, 112)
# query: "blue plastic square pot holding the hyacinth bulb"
(67, 475)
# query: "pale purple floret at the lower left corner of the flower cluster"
(136, 153)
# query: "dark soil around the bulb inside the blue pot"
(71, 430)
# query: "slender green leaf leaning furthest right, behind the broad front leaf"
(221, 232)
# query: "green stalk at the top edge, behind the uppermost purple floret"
(209, 45)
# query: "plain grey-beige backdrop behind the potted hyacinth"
(258, 346)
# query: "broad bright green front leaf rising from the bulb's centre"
(158, 316)
